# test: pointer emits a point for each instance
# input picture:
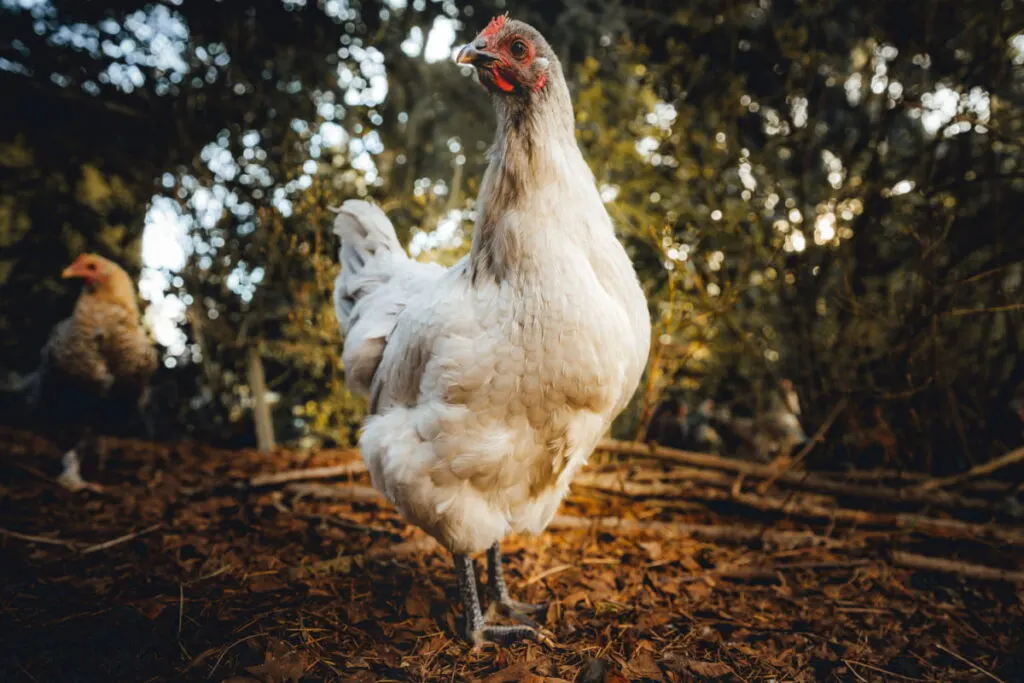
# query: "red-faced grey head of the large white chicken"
(510, 58)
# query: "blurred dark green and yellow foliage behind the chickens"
(826, 191)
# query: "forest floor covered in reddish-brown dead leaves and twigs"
(187, 569)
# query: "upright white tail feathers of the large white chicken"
(369, 247)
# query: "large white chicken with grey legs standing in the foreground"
(492, 382)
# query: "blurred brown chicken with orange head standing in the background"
(95, 370)
